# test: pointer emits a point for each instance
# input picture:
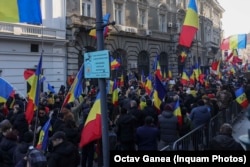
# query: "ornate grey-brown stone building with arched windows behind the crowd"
(144, 29)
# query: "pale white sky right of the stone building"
(235, 19)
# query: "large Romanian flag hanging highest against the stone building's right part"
(190, 25)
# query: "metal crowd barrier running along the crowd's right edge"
(198, 138)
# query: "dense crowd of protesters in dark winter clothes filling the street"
(135, 124)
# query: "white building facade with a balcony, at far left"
(22, 44)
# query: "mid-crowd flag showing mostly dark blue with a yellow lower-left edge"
(159, 94)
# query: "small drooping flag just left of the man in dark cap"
(44, 136)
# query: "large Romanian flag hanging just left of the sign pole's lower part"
(92, 129)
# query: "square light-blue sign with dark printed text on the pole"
(97, 64)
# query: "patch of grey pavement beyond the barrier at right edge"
(241, 126)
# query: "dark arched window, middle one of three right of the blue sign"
(143, 63)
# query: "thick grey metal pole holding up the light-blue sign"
(102, 86)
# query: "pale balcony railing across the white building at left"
(31, 31)
